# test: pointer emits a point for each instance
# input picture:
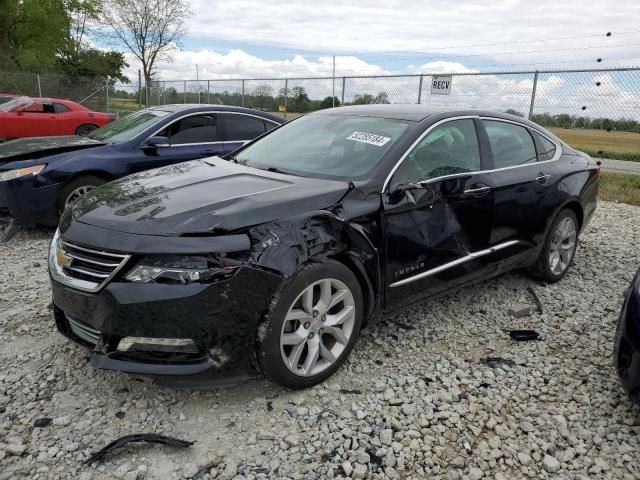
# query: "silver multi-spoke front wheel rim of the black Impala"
(317, 327)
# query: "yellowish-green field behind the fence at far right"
(602, 144)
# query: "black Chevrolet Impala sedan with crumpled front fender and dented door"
(273, 258)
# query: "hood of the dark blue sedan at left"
(38, 147)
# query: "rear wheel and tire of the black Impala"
(559, 248)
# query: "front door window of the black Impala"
(448, 149)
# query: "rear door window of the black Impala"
(511, 144)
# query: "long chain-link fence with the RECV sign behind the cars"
(597, 111)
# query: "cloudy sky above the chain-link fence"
(253, 39)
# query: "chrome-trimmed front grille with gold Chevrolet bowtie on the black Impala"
(86, 268)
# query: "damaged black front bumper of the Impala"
(221, 318)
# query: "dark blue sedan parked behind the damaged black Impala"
(41, 177)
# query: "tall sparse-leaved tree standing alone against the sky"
(150, 29)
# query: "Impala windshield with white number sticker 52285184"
(325, 145)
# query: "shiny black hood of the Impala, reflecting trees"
(203, 197)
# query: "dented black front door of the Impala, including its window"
(437, 215)
